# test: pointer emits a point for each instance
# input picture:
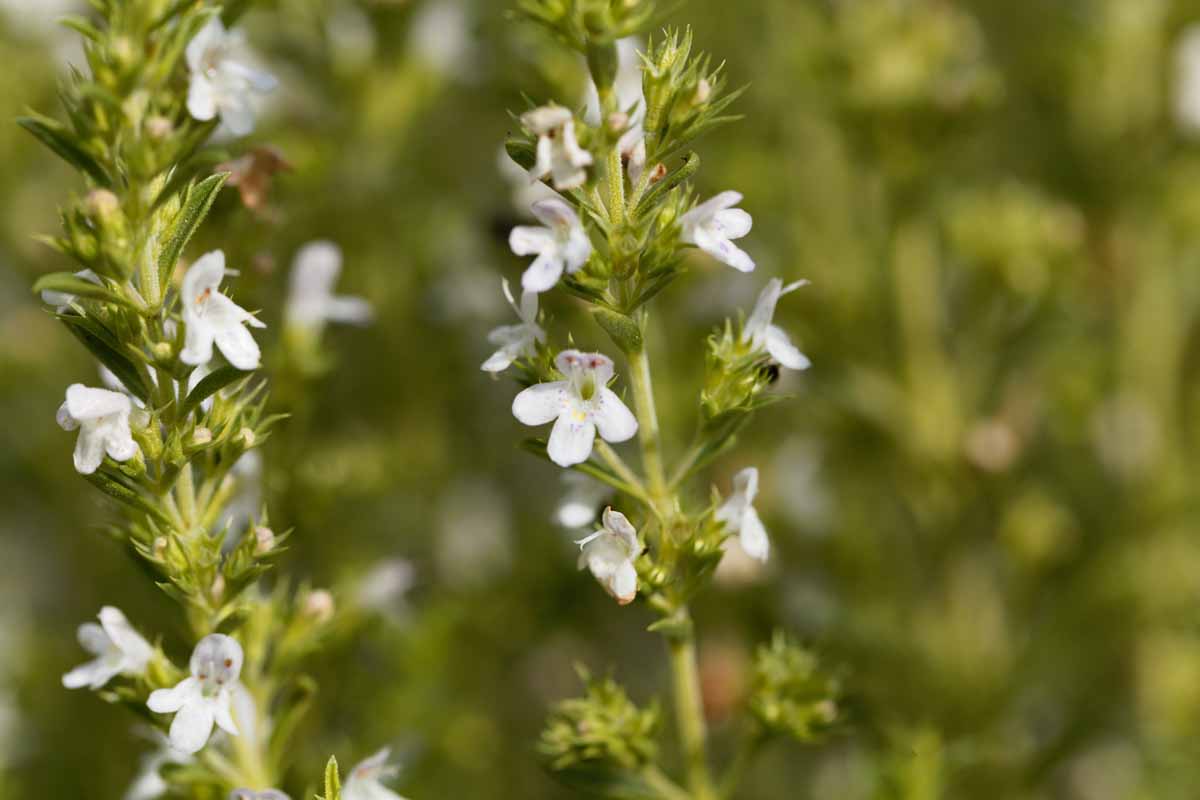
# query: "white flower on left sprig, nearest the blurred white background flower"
(213, 317)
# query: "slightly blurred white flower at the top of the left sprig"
(223, 82)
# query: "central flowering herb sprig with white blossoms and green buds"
(623, 228)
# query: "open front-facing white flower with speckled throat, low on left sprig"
(206, 697)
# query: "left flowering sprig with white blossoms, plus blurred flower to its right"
(182, 406)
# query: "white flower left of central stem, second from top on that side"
(562, 244)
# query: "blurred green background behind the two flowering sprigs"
(982, 497)
